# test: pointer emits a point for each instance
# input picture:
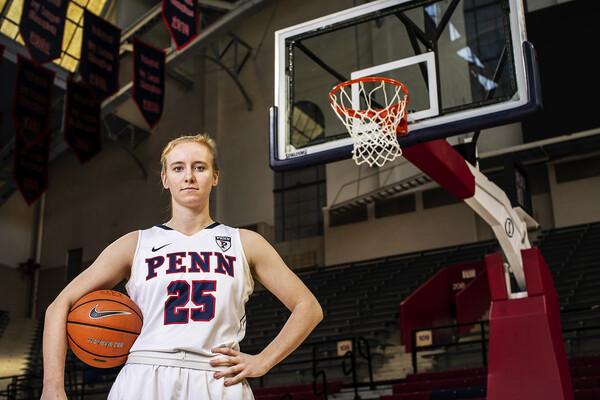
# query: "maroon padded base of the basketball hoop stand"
(527, 358)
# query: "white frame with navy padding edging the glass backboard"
(283, 158)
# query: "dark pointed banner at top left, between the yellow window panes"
(42, 26)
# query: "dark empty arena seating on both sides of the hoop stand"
(362, 298)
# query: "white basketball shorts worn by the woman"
(154, 382)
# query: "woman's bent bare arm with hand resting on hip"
(270, 270)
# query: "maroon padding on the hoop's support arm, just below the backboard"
(444, 165)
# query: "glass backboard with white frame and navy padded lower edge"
(466, 64)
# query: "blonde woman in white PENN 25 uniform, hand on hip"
(191, 278)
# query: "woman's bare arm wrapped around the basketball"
(111, 267)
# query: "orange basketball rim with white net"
(374, 129)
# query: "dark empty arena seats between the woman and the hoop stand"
(358, 299)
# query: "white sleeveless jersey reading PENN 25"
(192, 290)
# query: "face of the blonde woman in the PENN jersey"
(189, 174)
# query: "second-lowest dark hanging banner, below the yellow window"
(82, 122)
